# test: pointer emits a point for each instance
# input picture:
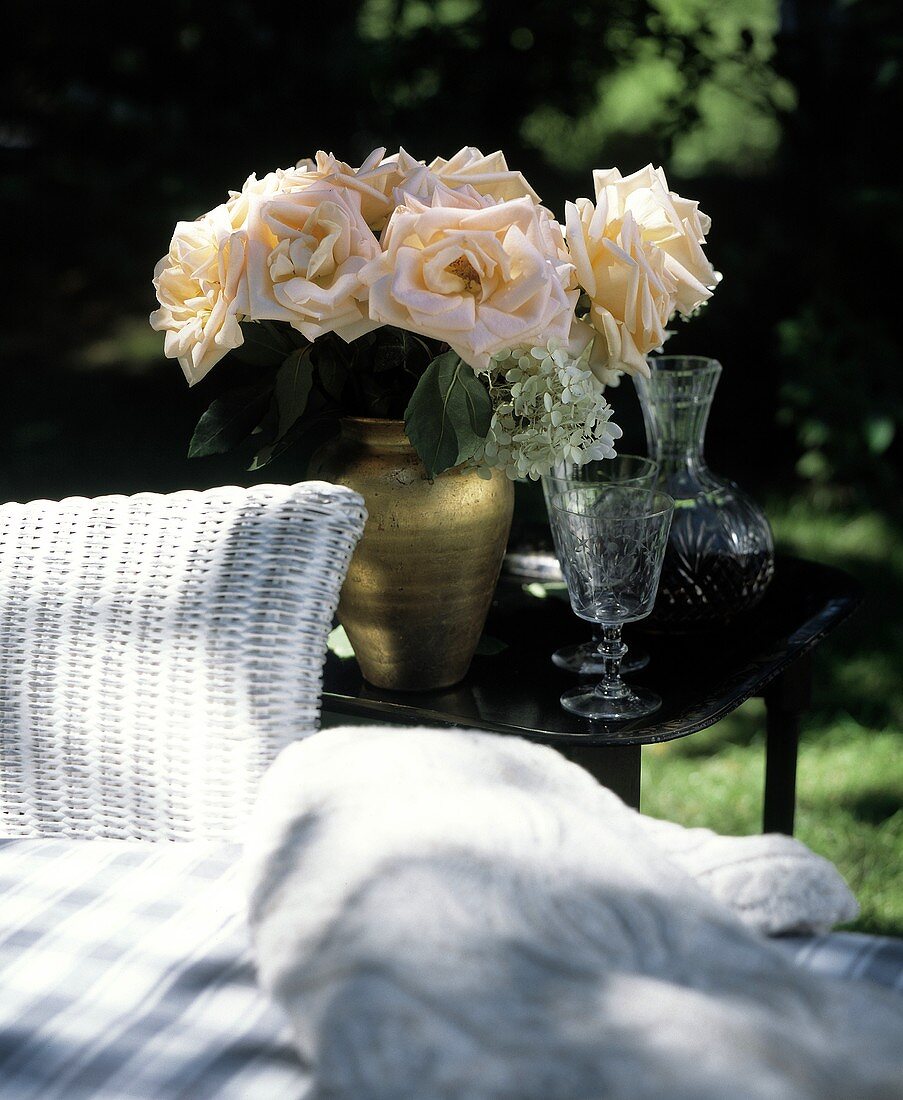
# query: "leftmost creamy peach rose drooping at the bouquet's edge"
(197, 287)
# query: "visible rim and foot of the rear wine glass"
(583, 657)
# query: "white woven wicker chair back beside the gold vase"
(159, 651)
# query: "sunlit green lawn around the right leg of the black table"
(850, 805)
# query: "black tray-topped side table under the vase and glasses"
(701, 679)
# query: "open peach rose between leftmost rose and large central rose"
(306, 250)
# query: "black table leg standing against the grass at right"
(787, 699)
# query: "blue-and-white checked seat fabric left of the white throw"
(126, 973)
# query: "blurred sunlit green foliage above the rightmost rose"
(699, 75)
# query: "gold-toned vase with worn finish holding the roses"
(423, 577)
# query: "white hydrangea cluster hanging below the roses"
(548, 408)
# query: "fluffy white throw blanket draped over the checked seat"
(453, 915)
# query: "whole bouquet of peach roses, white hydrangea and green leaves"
(445, 294)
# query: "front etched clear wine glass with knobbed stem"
(611, 544)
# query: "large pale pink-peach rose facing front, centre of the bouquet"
(477, 274)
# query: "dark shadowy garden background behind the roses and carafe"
(120, 120)
